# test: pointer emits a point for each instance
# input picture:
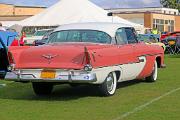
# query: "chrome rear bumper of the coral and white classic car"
(70, 77)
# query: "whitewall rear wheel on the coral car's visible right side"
(108, 87)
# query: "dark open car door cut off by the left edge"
(3, 60)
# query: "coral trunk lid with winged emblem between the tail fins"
(56, 56)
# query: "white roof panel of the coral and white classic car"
(109, 28)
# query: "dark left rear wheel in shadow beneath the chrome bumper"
(42, 88)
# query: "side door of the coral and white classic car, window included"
(127, 59)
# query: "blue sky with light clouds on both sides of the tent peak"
(102, 3)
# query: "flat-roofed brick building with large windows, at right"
(164, 19)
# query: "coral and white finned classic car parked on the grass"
(101, 54)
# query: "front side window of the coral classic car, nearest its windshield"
(131, 36)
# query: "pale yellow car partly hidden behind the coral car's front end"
(151, 39)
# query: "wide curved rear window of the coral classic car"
(80, 36)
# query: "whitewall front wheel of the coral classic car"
(154, 74)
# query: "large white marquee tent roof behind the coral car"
(72, 11)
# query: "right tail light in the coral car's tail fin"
(88, 66)
